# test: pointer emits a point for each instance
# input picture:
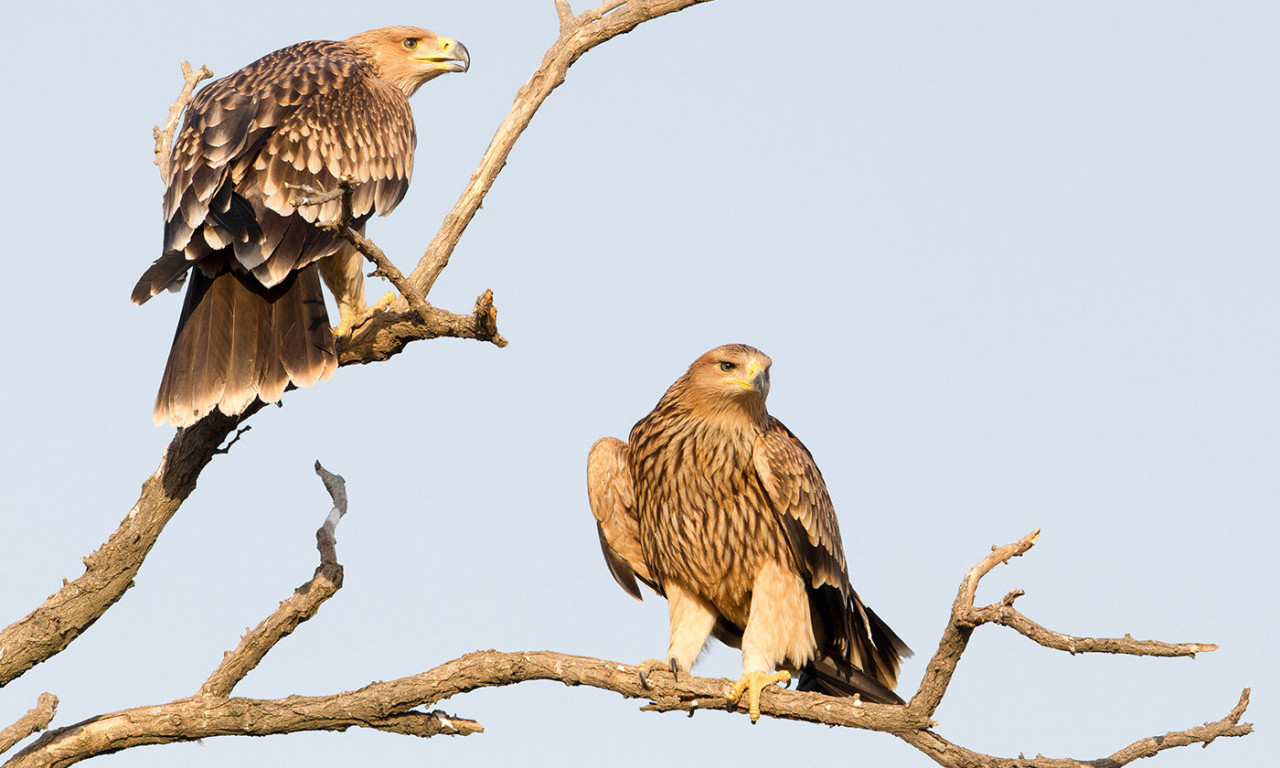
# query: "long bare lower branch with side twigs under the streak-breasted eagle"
(397, 706)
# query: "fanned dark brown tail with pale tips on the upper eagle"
(239, 341)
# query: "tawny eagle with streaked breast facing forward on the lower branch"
(717, 506)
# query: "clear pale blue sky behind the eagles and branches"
(1016, 264)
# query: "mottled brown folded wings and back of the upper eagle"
(309, 115)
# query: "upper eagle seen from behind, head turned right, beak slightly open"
(253, 148)
